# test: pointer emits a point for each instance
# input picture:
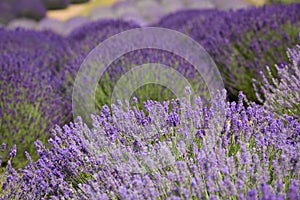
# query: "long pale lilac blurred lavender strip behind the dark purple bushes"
(142, 12)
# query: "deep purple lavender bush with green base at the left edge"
(31, 89)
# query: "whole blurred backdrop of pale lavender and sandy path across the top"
(62, 16)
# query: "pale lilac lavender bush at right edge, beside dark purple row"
(282, 94)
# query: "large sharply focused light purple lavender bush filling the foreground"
(186, 152)
